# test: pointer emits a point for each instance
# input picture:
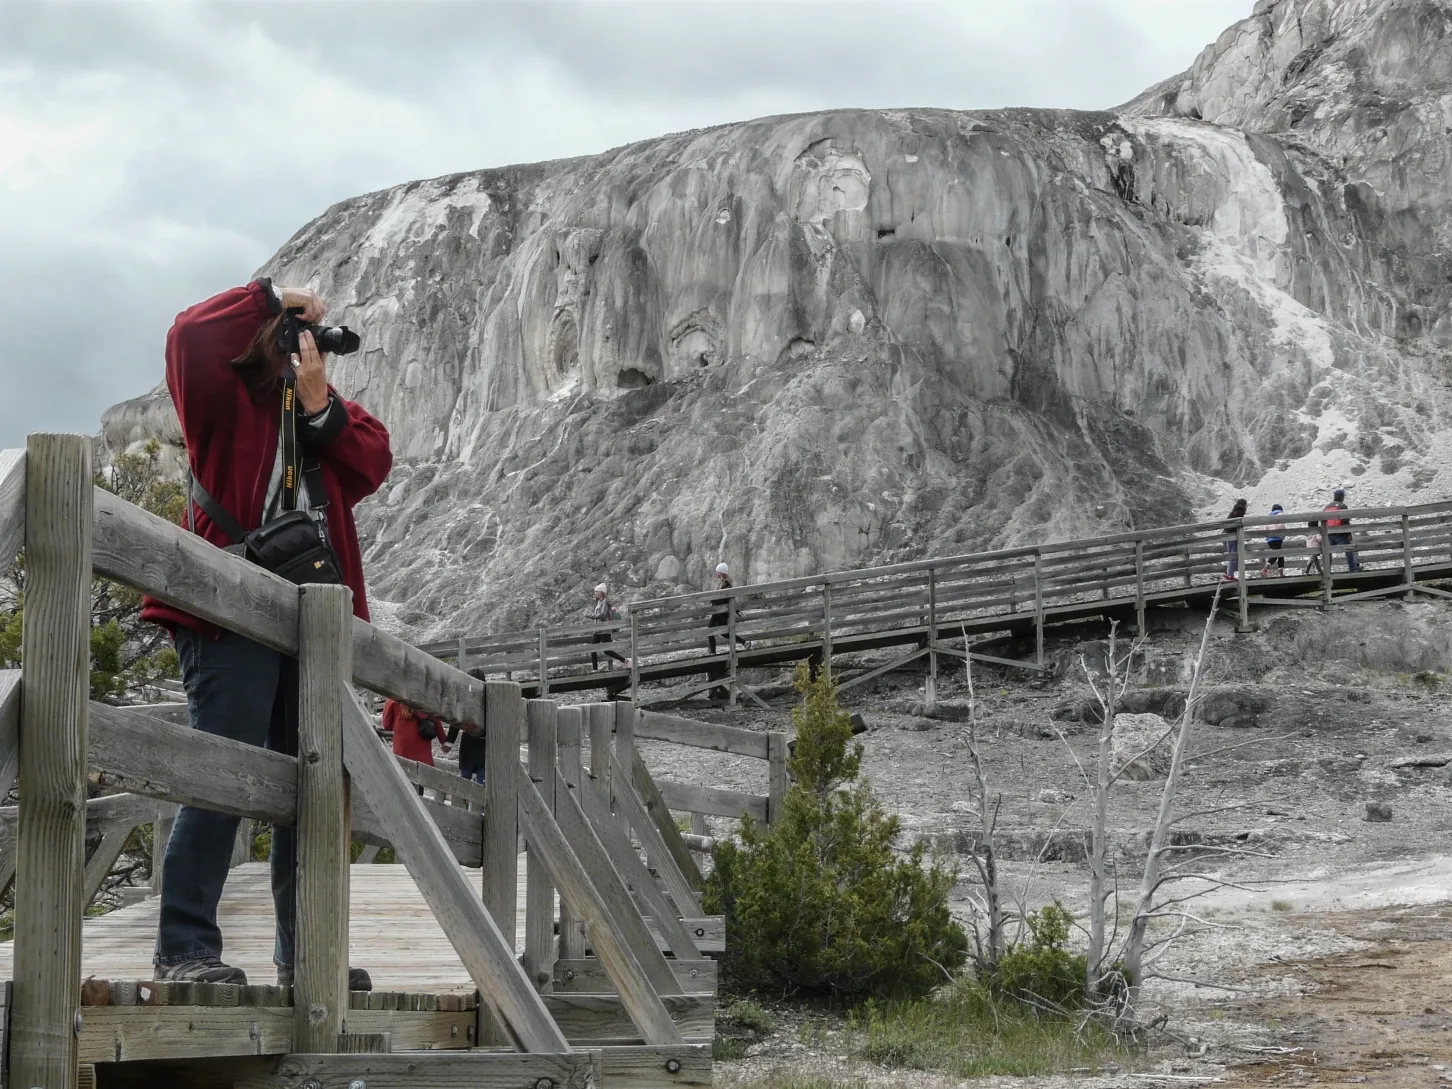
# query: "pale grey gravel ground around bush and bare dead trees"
(1319, 715)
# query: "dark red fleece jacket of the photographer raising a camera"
(232, 441)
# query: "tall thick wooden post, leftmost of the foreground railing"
(54, 721)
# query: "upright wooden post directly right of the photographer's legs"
(320, 995)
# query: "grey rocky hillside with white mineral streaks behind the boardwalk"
(865, 336)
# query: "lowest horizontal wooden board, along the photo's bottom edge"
(442, 1071)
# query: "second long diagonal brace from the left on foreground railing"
(584, 876)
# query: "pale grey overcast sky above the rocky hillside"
(156, 153)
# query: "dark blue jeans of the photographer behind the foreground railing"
(242, 690)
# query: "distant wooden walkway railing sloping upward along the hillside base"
(936, 605)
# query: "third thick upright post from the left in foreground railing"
(500, 863)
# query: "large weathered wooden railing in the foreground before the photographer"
(606, 984)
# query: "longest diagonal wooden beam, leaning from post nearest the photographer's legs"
(455, 905)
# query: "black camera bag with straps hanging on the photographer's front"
(294, 545)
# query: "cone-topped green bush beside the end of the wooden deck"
(821, 904)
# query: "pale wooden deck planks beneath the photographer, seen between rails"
(391, 933)
